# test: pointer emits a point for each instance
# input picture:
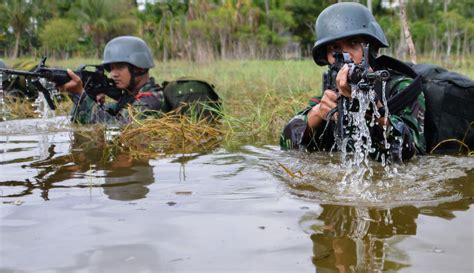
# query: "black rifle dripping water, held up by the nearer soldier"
(359, 75)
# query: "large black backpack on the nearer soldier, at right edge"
(449, 113)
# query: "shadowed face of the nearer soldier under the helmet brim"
(353, 46)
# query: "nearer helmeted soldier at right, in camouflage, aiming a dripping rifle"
(349, 28)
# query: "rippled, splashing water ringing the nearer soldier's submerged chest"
(422, 180)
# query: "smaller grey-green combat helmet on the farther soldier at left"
(128, 49)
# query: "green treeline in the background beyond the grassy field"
(217, 29)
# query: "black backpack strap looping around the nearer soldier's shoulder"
(407, 95)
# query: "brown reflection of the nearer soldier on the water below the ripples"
(365, 239)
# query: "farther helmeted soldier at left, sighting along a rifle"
(128, 60)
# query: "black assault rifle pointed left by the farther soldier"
(93, 78)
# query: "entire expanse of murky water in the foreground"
(63, 208)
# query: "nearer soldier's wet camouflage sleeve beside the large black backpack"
(405, 135)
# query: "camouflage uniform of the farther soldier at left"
(148, 102)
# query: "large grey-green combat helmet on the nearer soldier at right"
(344, 20)
